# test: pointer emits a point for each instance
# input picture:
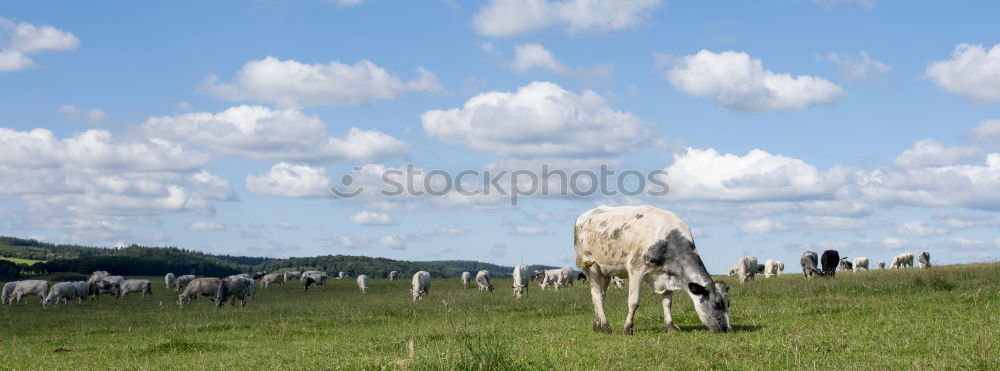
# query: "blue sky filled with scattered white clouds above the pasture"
(867, 126)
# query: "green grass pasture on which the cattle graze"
(945, 317)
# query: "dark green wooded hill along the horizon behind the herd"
(154, 261)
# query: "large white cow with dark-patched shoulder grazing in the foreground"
(652, 245)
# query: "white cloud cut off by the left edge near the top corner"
(20, 40)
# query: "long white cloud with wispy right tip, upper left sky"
(291, 83)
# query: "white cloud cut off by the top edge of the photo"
(512, 17)
